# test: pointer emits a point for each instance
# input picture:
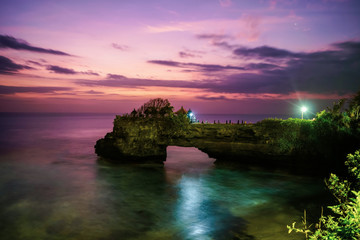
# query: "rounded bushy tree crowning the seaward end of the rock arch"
(157, 107)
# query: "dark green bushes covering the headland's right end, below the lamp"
(332, 134)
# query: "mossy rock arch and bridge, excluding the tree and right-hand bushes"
(146, 139)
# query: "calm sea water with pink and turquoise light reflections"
(53, 186)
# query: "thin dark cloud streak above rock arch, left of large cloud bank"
(196, 66)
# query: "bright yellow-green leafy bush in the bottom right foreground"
(344, 223)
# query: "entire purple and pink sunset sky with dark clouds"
(213, 56)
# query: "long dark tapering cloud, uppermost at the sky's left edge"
(13, 43)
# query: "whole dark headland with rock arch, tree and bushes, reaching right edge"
(145, 133)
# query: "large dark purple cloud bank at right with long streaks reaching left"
(334, 72)
